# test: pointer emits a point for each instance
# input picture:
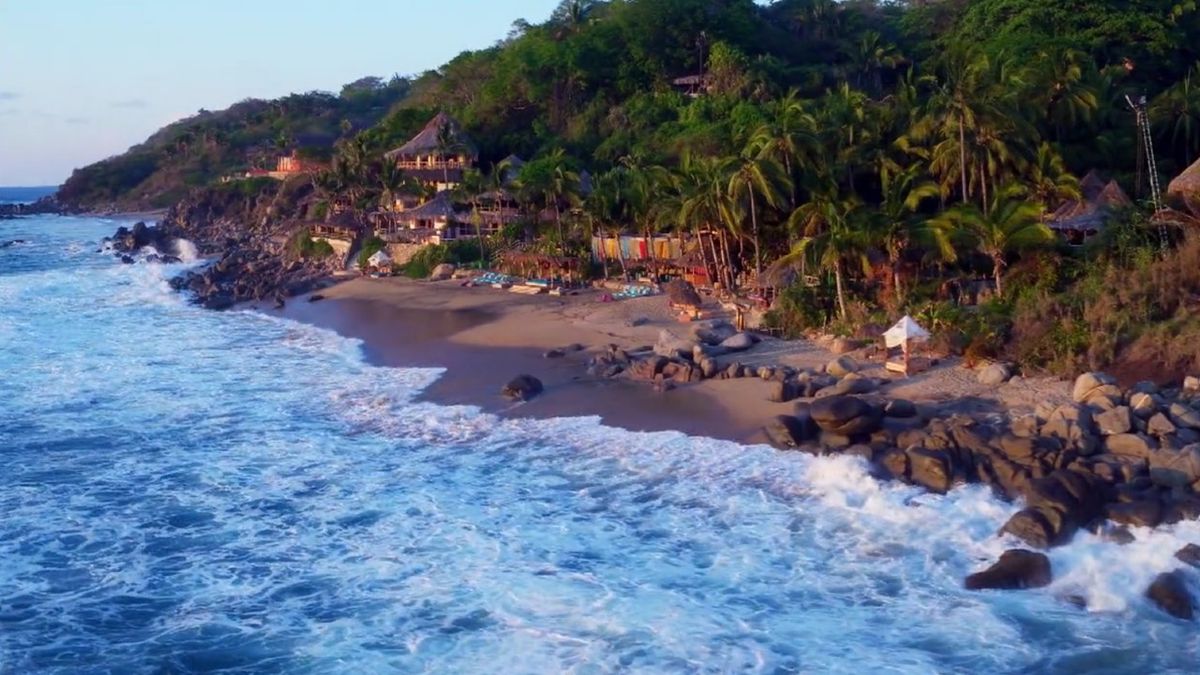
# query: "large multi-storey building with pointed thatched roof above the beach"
(437, 156)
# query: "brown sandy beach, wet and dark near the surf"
(485, 337)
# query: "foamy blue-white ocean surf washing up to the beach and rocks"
(190, 492)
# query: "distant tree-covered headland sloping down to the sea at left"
(200, 150)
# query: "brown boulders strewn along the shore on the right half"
(1109, 461)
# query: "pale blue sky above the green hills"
(86, 80)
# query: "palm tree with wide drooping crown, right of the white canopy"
(1009, 226)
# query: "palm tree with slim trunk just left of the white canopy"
(832, 230)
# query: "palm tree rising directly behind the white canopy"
(899, 225)
